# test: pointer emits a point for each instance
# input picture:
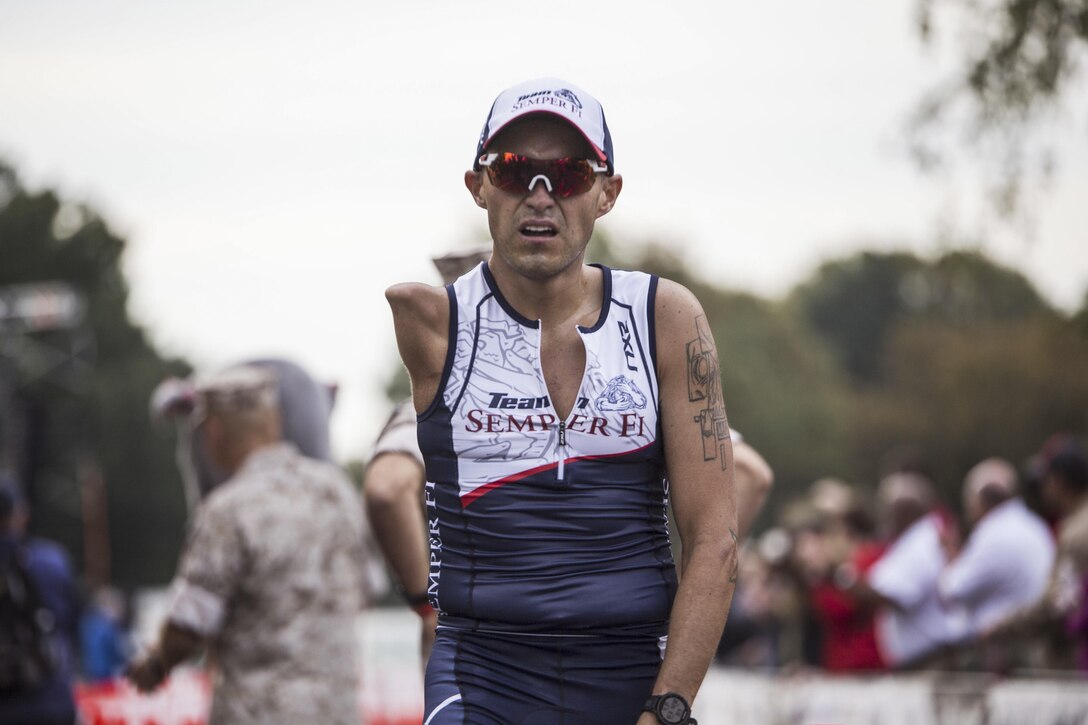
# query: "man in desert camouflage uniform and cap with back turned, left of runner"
(271, 579)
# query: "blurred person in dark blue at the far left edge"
(39, 611)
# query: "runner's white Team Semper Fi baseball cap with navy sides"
(555, 97)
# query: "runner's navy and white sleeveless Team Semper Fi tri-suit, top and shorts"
(551, 567)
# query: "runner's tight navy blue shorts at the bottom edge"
(484, 679)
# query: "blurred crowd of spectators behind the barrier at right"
(895, 577)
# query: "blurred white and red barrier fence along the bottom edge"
(391, 694)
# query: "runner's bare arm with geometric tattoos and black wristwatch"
(699, 458)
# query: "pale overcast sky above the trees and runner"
(276, 166)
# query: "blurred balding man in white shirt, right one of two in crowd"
(1005, 564)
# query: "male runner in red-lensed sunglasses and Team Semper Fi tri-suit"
(561, 407)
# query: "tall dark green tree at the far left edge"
(91, 412)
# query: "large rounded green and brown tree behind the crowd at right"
(955, 360)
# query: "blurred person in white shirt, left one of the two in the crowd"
(912, 623)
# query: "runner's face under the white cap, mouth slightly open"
(539, 236)
